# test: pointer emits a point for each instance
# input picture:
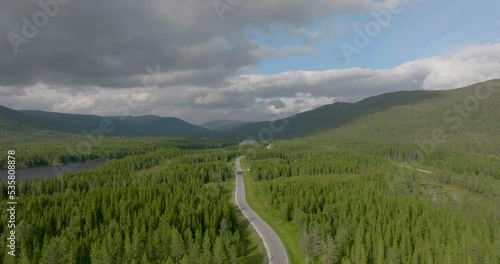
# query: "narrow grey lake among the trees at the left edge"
(50, 171)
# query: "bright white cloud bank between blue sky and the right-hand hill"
(470, 65)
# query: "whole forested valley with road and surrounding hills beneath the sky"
(370, 182)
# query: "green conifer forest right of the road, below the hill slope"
(355, 208)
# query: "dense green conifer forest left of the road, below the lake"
(124, 212)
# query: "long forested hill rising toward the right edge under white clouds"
(423, 111)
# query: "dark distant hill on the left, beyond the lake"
(150, 126)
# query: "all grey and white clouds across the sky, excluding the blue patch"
(176, 58)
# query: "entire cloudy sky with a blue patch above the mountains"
(245, 60)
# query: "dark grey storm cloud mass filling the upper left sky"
(110, 43)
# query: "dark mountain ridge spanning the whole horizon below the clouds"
(321, 119)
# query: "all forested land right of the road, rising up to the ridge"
(423, 168)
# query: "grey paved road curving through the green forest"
(276, 253)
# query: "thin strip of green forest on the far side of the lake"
(80, 149)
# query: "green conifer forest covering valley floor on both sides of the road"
(173, 204)
